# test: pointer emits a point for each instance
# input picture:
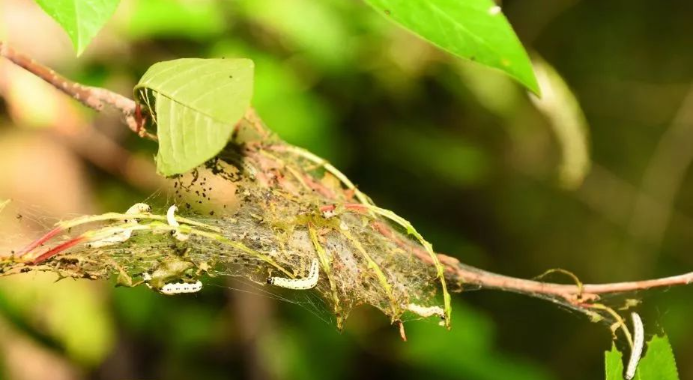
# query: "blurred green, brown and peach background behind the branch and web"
(459, 150)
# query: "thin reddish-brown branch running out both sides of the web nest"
(578, 295)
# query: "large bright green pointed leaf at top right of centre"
(472, 29)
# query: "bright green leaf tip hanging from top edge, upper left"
(81, 19)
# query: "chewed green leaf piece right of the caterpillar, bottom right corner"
(659, 362)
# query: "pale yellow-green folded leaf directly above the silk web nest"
(196, 103)
